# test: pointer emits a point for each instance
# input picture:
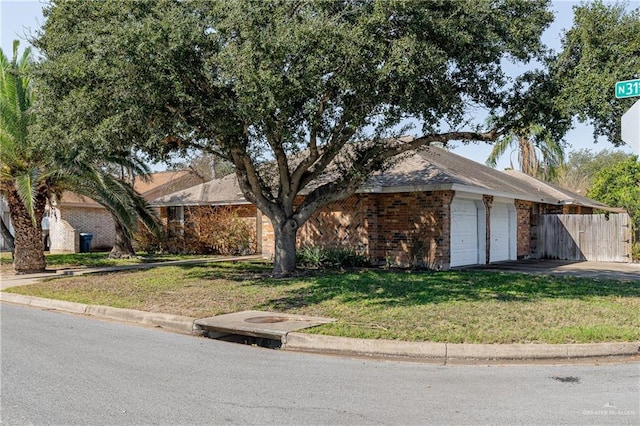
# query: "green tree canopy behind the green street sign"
(601, 48)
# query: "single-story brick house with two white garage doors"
(434, 209)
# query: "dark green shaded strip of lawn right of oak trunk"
(411, 288)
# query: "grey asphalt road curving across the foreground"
(63, 369)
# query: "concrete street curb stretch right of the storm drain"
(451, 352)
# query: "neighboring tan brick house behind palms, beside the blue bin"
(74, 214)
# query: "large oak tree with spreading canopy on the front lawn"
(303, 97)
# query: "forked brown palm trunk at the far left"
(28, 255)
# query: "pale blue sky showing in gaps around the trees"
(20, 18)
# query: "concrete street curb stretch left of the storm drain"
(175, 323)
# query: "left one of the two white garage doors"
(464, 233)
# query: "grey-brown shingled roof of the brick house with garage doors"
(428, 169)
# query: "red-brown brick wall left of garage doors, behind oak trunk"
(404, 229)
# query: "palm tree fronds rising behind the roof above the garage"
(538, 157)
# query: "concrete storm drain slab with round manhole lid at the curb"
(259, 324)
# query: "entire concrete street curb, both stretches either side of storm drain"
(316, 343)
